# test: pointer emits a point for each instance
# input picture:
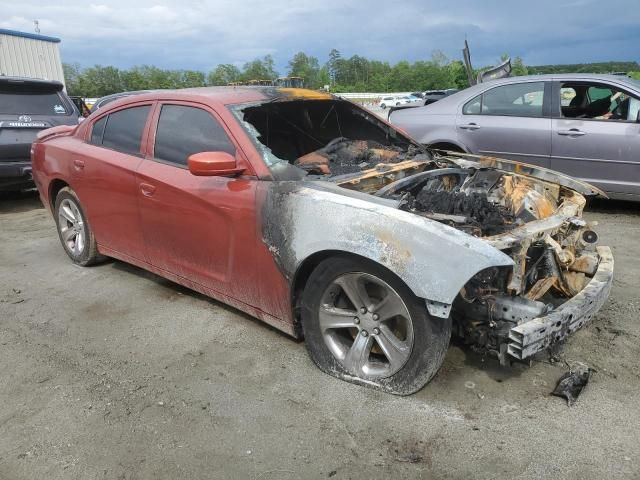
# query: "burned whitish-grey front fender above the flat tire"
(434, 260)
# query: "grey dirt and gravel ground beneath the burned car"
(110, 372)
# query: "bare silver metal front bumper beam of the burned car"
(535, 335)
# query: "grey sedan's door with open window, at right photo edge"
(599, 145)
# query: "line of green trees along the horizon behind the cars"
(353, 74)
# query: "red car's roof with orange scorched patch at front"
(229, 95)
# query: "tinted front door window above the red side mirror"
(183, 131)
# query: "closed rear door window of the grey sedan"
(518, 99)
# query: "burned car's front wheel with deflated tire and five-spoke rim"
(363, 324)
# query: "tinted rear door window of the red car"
(123, 130)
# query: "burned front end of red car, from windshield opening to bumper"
(498, 246)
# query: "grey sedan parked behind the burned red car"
(584, 125)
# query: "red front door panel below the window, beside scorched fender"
(193, 226)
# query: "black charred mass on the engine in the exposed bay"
(489, 217)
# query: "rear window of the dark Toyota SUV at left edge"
(21, 102)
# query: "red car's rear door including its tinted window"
(105, 178)
